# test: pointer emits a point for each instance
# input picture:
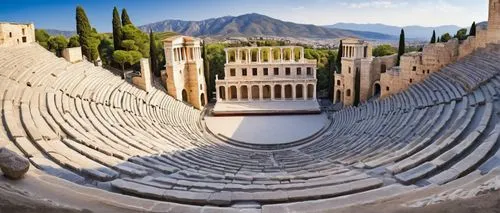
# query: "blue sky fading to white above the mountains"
(60, 14)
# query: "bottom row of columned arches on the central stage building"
(261, 92)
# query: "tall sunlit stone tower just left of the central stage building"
(185, 77)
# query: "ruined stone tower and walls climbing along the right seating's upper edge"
(414, 67)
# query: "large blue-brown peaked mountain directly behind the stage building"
(258, 25)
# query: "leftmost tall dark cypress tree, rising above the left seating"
(84, 32)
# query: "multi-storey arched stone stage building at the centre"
(267, 74)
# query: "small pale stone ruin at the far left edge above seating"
(14, 33)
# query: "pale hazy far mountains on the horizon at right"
(415, 32)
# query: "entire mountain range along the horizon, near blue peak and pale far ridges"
(260, 25)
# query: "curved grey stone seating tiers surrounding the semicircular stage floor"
(84, 124)
